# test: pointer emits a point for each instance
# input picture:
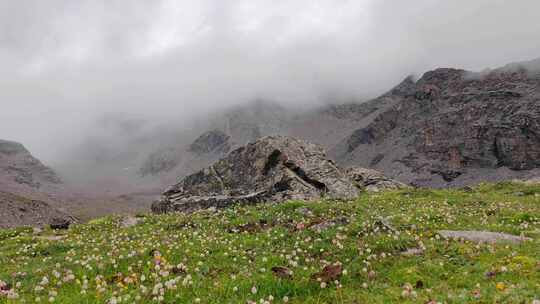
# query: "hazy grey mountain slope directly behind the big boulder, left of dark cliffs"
(232, 129)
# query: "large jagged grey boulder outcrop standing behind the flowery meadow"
(273, 168)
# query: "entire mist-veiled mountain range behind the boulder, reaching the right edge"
(450, 127)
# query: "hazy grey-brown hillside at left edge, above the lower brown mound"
(19, 168)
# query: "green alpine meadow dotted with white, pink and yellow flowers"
(223, 256)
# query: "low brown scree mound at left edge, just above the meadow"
(17, 211)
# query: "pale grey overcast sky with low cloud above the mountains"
(63, 62)
